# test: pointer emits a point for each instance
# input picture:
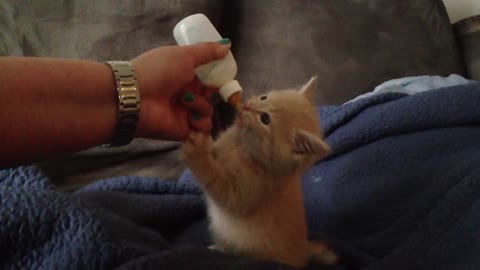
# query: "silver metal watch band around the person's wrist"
(128, 102)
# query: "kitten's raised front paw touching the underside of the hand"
(197, 147)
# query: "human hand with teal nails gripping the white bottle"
(173, 101)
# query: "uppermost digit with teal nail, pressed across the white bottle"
(206, 52)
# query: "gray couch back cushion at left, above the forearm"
(97, 30)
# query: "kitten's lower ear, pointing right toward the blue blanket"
(306, 143)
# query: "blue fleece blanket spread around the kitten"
(400, 191)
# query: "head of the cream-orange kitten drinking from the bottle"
(280, 130)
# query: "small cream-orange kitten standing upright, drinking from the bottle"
(251, 177)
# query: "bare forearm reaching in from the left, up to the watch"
(53, 106)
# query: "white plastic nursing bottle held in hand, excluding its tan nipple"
(221, 73)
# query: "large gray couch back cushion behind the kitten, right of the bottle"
(352, 45)
